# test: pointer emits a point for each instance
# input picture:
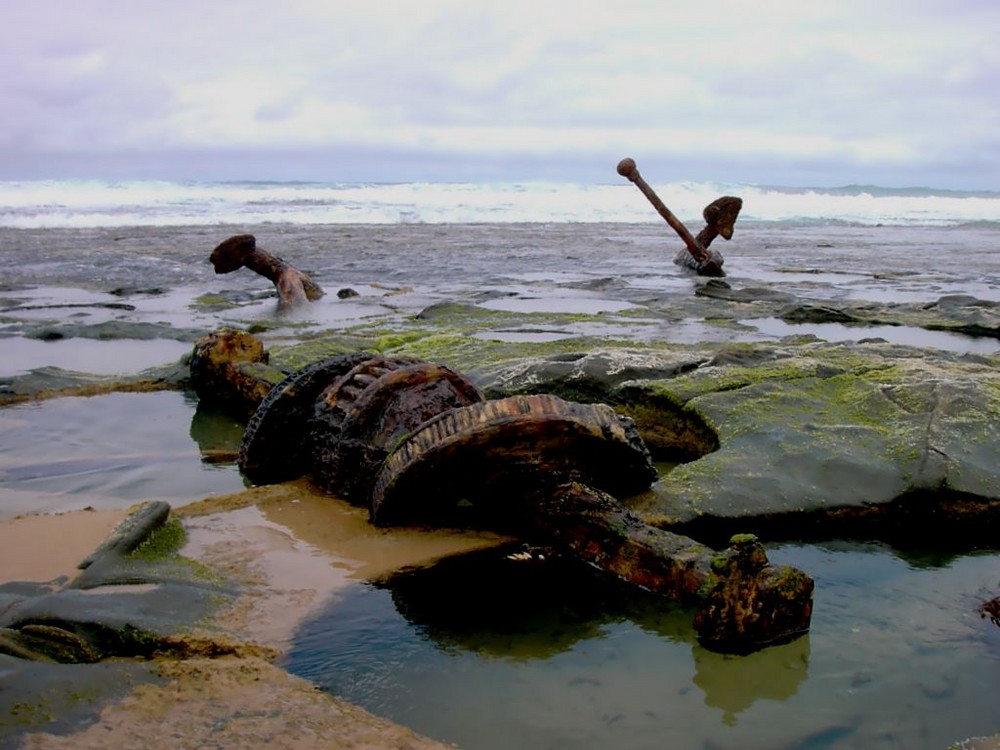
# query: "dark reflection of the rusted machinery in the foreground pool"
(518, 607)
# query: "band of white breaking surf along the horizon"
(93, 203)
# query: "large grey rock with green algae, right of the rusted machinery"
(797, 439)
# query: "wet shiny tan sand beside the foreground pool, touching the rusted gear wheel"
(294, 549)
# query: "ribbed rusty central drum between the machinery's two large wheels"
(359, 419)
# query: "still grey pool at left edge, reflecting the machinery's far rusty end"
(113, 450)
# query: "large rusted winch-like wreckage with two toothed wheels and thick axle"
(418, 443)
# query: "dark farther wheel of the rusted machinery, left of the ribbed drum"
(276, 437)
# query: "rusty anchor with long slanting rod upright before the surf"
(720, 217)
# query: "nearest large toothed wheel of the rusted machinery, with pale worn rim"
(496, 453)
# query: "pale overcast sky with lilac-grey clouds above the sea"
(794, 92)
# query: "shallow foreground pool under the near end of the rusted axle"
(489, 652)
